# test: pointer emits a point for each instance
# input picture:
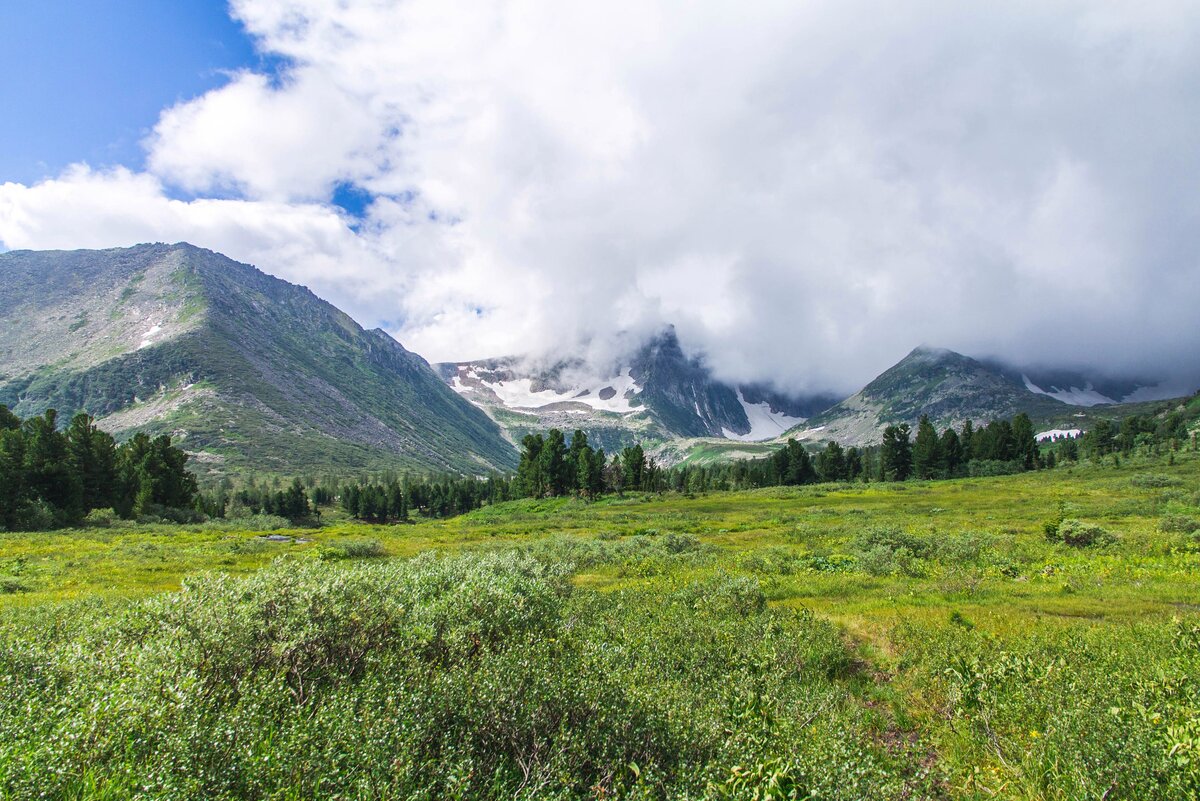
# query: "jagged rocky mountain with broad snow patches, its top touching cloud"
(658, 393)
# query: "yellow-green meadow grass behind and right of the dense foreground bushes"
(983, 659)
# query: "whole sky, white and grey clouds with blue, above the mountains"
(807, 190)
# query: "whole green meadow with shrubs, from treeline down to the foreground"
(1022, 637)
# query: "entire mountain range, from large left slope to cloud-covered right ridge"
(251, 372)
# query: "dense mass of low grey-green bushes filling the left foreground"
(479, 677)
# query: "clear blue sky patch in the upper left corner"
(87, 80)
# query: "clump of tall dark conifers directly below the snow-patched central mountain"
(551, 468)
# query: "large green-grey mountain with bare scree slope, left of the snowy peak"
(244, 370)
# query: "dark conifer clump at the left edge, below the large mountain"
(52, 479)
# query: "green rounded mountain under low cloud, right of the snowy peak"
(952, 389)
